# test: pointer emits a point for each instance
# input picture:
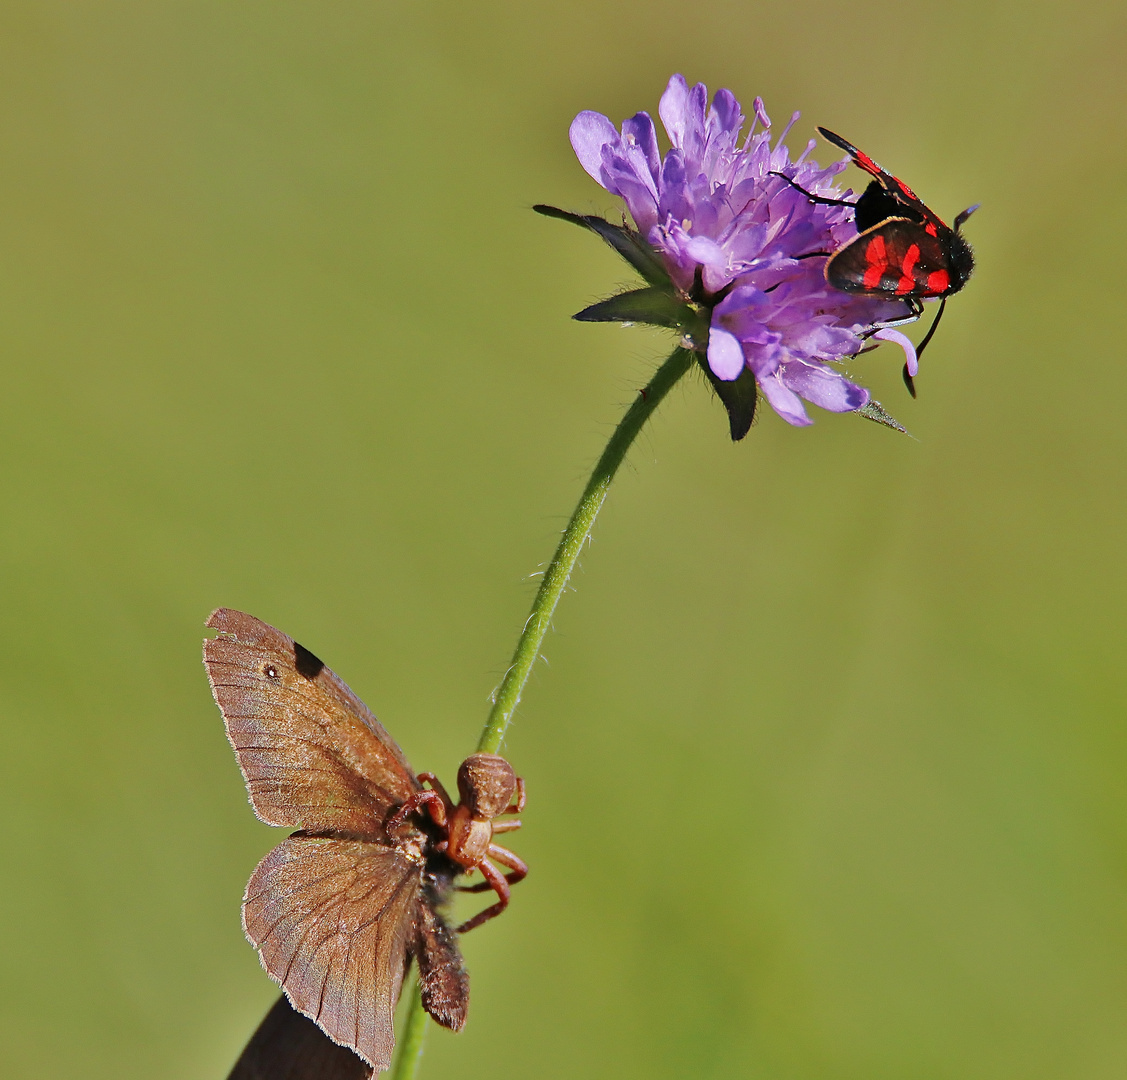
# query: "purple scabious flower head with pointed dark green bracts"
(742, 246)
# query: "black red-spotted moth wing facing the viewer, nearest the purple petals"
(898, 259)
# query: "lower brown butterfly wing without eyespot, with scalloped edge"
(333, 922)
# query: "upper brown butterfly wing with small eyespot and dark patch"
(313, 755)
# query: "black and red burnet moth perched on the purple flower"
(904, 251)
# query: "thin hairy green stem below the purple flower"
(552, 588)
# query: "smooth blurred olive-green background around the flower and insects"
(828, 774)
